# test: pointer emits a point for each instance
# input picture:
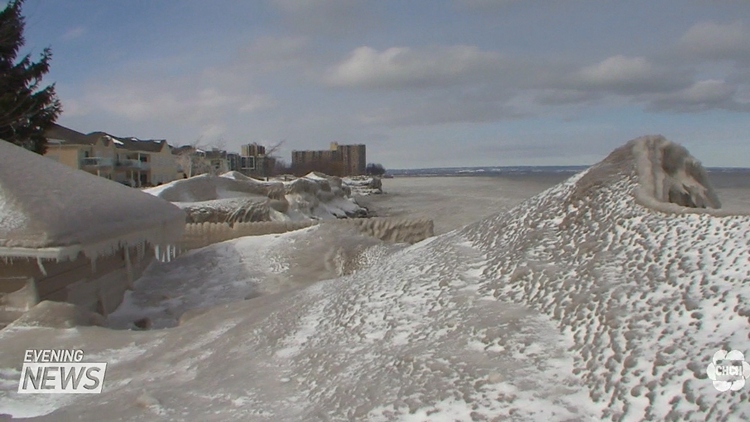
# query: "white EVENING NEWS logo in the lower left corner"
(49, 371)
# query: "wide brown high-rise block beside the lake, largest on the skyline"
(341, 160)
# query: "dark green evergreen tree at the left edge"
(26, 111)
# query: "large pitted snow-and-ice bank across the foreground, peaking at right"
(600, 298)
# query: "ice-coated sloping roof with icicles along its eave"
(48, 210)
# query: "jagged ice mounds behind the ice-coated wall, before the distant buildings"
(236, 198)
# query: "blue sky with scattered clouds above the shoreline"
(423, 83)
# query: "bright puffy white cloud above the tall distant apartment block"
(404, 67)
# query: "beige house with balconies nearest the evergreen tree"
(130, 161)
